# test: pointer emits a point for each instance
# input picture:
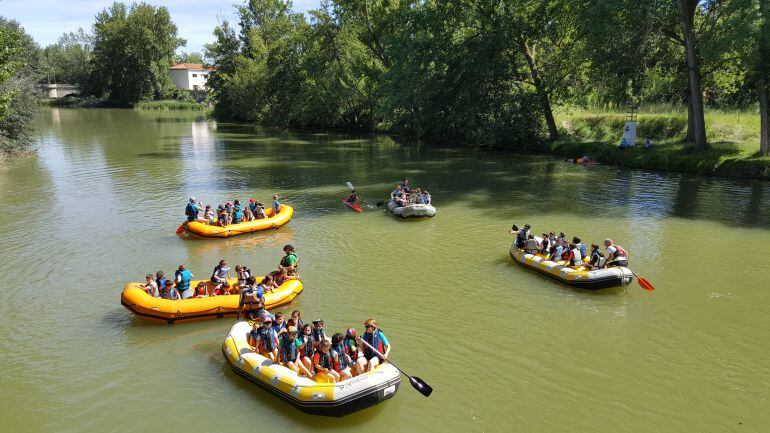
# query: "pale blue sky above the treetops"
(46, 20)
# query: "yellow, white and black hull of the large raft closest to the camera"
(316, 398)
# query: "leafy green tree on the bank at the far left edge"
(18, 73)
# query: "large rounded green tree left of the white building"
(133, 49)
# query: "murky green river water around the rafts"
(504, 349)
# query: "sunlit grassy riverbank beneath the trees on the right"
(733, 139)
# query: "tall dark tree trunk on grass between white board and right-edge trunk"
(687, 20)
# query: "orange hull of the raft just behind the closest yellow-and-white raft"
(136, 300)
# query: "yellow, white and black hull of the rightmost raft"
(580, 278)
